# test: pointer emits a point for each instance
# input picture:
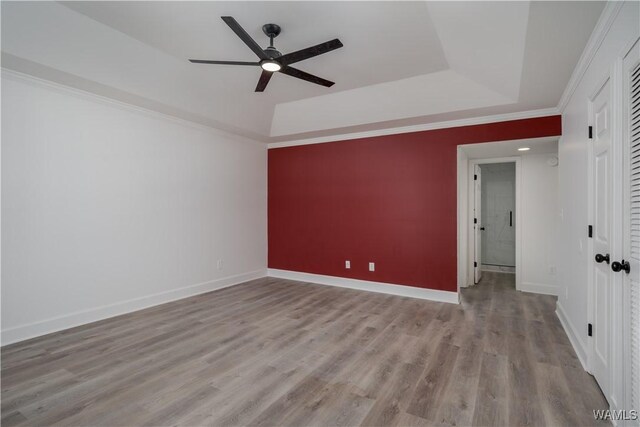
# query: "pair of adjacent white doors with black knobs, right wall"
(613, 346)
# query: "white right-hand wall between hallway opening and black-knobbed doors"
(573, 255)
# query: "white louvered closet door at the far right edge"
(631, 281)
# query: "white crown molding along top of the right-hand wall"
(608, 16)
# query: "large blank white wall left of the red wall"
(108, 209)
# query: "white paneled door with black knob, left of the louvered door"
(600, 118)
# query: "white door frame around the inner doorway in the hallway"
(465, 224)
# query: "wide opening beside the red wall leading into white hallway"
(525, 225)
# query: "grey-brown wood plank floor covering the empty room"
(276, 352)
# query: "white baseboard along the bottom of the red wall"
(365, 285)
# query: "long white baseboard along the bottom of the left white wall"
(43, 327)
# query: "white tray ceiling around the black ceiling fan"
(403, 63)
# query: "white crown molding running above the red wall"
(423, 127)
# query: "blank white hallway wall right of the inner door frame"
(539, 207)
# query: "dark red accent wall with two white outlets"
(388, 199)
